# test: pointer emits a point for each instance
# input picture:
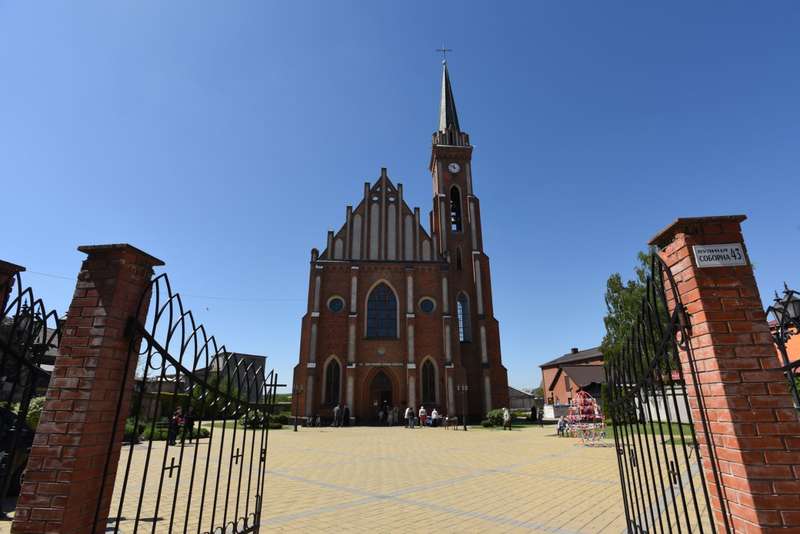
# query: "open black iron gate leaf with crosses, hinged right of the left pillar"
(195, 440)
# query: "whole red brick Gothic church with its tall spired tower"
(399, 314)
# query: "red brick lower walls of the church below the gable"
(428, 339)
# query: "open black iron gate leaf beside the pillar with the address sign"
(663, 483)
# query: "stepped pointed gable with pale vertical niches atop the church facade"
(381, 228)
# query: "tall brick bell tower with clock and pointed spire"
(469, 324)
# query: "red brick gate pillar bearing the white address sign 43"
(755, 431)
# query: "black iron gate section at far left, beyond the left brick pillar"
(28, 334)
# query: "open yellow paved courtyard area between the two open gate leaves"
(426, 480)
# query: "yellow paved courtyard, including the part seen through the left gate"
(365, 479)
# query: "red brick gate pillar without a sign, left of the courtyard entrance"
(65, 468)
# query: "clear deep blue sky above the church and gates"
(226, 138)
